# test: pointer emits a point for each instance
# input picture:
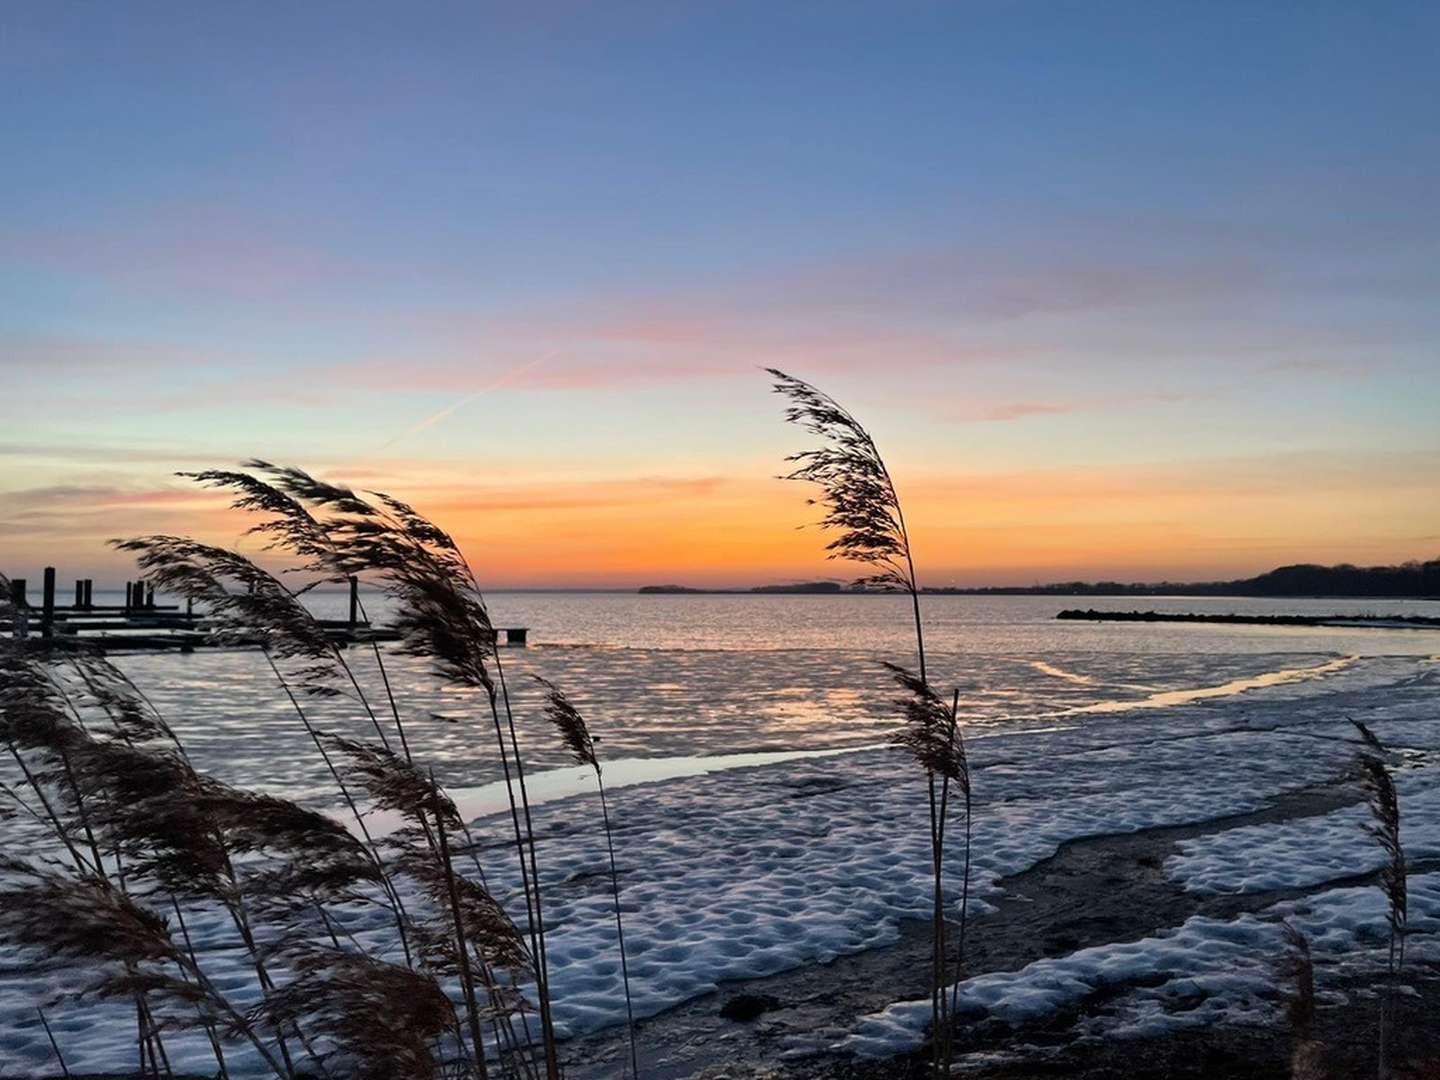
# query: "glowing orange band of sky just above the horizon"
(1179, 523)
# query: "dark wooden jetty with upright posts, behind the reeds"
(142, 624)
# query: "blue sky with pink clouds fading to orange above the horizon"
(1124, 290)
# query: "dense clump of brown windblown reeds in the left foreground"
(146, 836)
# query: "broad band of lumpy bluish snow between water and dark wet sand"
(751, 872)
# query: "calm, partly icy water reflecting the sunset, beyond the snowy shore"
(682, 676)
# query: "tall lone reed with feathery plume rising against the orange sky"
(863, 510)
